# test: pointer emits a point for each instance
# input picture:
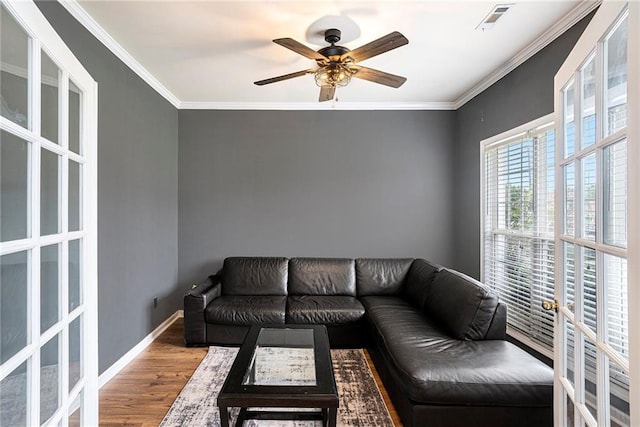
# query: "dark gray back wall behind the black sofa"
(313, 183)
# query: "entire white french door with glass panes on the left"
(48, 281)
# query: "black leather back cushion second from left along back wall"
(322, 276)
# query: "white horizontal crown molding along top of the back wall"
(317, 106)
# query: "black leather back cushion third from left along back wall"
(381, 276)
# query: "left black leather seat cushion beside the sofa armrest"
(246, 310)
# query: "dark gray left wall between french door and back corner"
(137, 195)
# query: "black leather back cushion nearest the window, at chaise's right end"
(461, 305)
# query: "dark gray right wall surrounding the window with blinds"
(523, 95)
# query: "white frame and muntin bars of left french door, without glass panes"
(43, 39)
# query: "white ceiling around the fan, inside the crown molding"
(207, 54)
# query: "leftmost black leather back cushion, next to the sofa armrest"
(254, 276)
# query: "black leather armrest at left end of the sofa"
(195, 302)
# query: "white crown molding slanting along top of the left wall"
(74, 8)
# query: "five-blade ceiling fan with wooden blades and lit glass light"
(337, 64)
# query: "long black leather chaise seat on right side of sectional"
(436, 369)
